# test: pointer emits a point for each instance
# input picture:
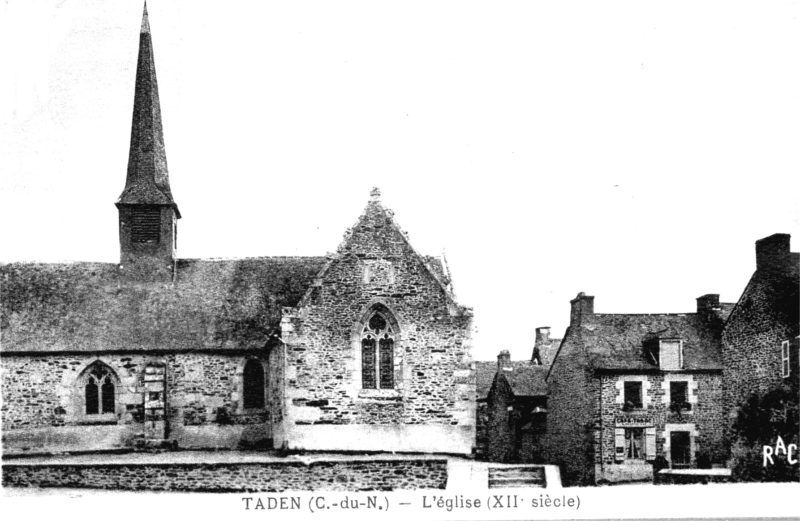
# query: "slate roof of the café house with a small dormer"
(617, 341)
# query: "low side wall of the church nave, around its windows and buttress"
(44, 402)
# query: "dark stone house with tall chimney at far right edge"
(761, 367)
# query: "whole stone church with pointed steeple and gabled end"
(366, 349)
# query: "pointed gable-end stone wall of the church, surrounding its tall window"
(434, 385)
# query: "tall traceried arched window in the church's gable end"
(377, 353)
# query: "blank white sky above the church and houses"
(631, 150)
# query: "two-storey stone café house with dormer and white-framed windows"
(626, 390)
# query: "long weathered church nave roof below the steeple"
(213, 304)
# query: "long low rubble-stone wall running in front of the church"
(349, 476)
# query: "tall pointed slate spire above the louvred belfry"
(147, 182)
